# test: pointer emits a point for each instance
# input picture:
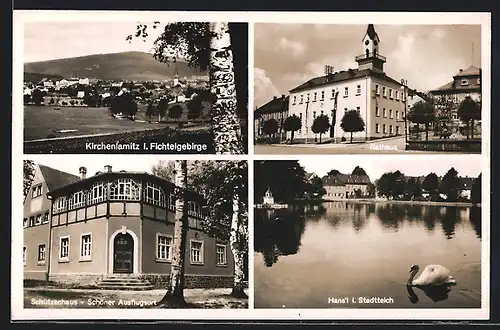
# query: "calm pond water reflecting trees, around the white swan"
(352, 255)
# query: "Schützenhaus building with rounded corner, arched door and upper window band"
(80, 229)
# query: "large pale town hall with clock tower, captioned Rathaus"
(378, 98)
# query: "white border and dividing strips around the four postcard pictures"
(386, 18)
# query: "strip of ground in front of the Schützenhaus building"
(46, 297)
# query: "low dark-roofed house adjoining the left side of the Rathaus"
(276, 109)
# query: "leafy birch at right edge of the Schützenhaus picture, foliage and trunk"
(225, 187)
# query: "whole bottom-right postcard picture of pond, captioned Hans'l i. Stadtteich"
(347, 232)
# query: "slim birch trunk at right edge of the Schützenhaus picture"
(236, 241)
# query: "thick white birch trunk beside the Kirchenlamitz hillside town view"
(225, 122)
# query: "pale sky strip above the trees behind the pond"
(375, 166)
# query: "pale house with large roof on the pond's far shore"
(340, 186)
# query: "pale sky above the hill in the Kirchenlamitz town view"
(53, 40)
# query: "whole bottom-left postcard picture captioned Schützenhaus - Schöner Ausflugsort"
(151, 233)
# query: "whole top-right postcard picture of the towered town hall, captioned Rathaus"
(367, 88)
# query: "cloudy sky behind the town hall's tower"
(287, 55)
